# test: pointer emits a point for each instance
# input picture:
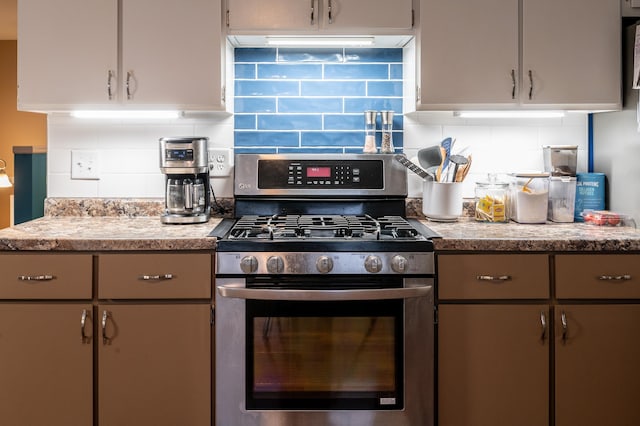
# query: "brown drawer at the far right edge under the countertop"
(598, 276)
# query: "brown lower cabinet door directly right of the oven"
(493, 365)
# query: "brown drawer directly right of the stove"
(493, 276)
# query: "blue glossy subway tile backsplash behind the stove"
(313, 100)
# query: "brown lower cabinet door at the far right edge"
(597, 367)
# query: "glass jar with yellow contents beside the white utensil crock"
(492, 200)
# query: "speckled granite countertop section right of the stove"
(469, 235)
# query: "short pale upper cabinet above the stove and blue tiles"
(327, 16)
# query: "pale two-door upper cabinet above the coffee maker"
(75, 54)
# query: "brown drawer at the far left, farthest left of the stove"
(45, 276)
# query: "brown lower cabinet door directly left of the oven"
(154, 365)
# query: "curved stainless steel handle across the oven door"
(241, 292)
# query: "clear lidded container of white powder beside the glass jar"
(529, 197)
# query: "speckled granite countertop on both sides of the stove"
(104, 224)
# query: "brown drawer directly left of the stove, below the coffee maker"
(154, 276)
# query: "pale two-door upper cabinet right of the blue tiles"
(563, 55)
